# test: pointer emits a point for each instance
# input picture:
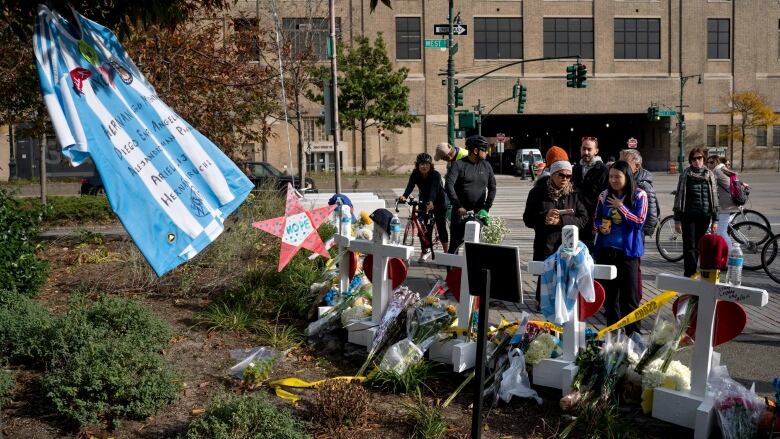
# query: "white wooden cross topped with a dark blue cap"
(362, 333)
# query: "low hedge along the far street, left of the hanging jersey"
(75, 210)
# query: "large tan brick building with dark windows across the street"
(636, 52)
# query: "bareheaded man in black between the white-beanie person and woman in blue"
(590, 178)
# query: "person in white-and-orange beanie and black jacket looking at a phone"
(552, 203)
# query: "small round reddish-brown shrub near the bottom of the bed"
(341, 403)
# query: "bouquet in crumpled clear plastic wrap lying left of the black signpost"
(424, 325)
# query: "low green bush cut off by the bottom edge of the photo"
(246, 417)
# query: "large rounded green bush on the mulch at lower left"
(103, 363)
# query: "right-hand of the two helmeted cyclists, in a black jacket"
(467, 183)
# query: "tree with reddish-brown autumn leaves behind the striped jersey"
(205, 77)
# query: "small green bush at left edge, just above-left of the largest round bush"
(23, 321)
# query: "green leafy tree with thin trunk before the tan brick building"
(371, 93)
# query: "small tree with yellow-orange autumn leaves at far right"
(752, 111)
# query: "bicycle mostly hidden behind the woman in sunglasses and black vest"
(669, 242)
